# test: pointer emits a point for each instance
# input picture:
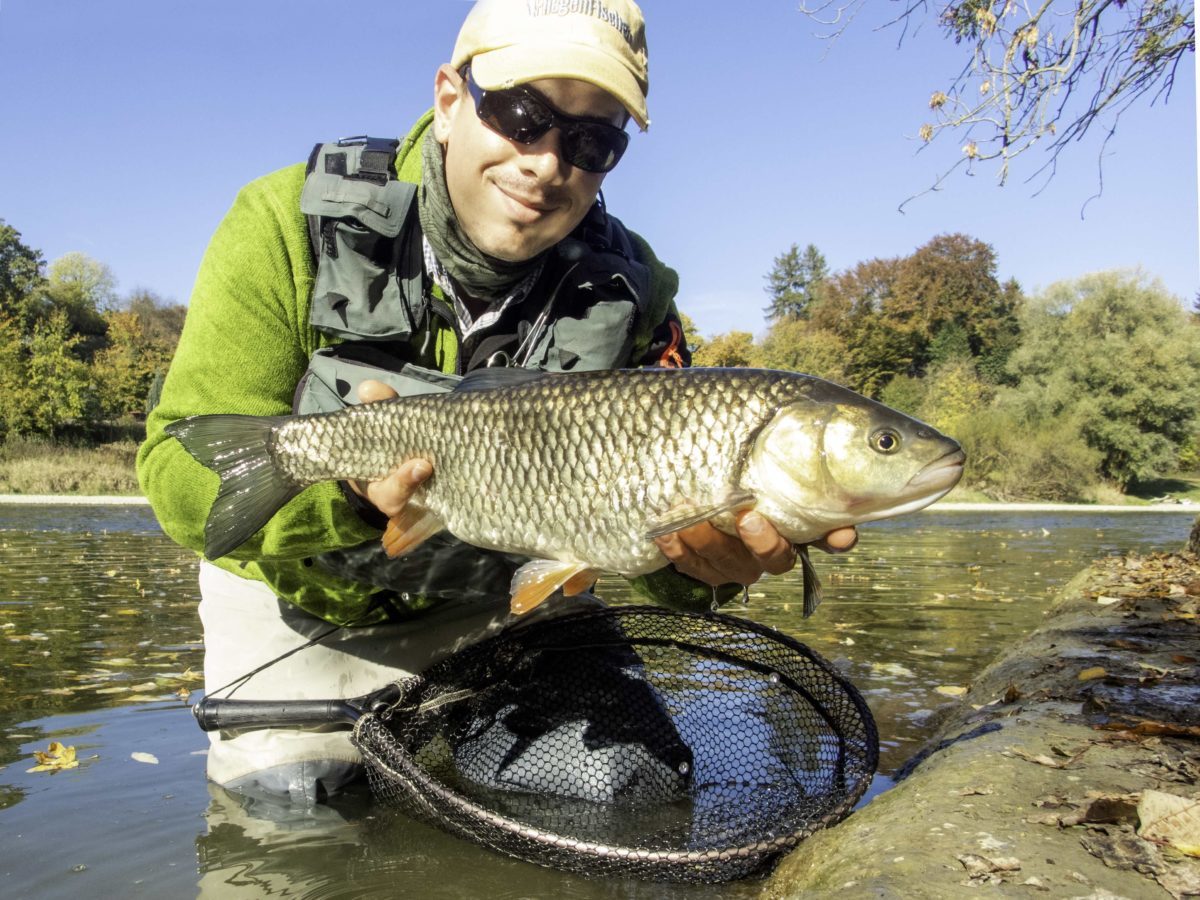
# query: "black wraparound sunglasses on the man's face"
(521, 115)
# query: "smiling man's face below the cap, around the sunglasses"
(514, 201)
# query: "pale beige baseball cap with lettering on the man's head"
(511, 43)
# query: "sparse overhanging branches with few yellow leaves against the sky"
(1043, 74)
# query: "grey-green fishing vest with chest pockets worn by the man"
(587, 311)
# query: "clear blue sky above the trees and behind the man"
(128, 128)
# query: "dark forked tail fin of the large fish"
(238, 448)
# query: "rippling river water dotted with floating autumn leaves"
(100, 646)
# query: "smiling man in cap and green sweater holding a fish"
(479, 241)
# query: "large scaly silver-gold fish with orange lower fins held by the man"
(581, 472)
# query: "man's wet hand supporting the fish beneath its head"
(718, 559)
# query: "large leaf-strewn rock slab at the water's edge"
(1033, 785)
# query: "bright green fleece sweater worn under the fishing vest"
(245, 346)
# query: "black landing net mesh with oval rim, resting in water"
(628, 741)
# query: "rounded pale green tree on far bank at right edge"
(1114, 353)
